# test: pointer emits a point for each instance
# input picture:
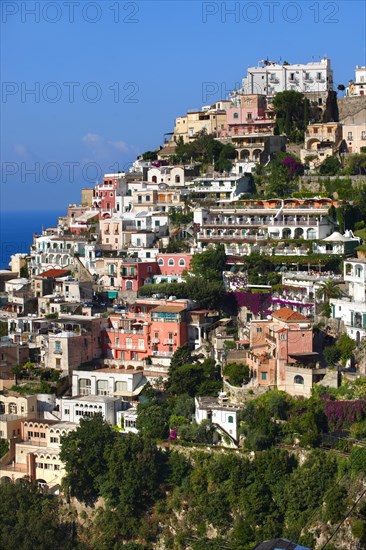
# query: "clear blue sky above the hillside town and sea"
(111, 77)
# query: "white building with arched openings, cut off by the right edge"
(352, 310)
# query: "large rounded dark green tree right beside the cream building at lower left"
(84, 452)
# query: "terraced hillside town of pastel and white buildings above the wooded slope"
(225, 267)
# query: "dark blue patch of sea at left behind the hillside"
(17, 228)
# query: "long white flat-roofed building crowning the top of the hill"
(270, 78)
